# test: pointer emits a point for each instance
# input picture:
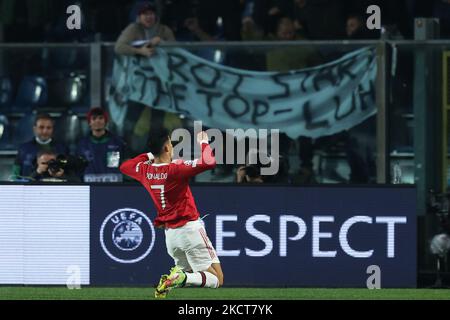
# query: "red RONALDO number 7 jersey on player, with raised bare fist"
(168, 185)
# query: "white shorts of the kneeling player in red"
(190, 247)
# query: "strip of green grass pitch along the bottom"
(91, 293)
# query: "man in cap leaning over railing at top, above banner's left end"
(147, 27)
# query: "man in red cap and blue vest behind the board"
(101, 149)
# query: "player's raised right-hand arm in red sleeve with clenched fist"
(191, 168)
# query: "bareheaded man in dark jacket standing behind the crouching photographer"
(43, 133)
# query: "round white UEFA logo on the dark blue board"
(127, 235)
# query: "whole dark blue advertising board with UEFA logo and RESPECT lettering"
(265, 236)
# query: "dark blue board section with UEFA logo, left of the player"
(125, 248)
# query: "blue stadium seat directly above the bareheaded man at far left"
(32, 93)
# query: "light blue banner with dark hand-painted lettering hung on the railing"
(309, 102)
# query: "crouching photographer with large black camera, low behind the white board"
(61, 168)
